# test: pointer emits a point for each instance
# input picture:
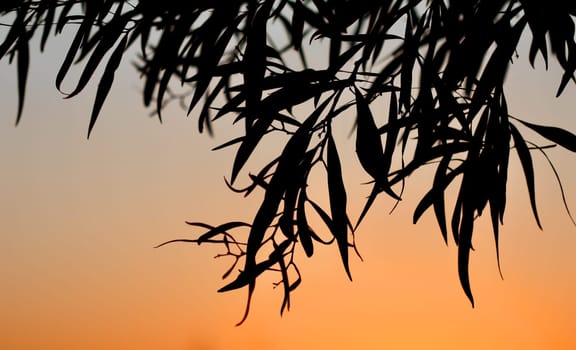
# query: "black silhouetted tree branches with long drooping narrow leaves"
(438, 65)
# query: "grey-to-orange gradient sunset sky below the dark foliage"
(79, 219)
